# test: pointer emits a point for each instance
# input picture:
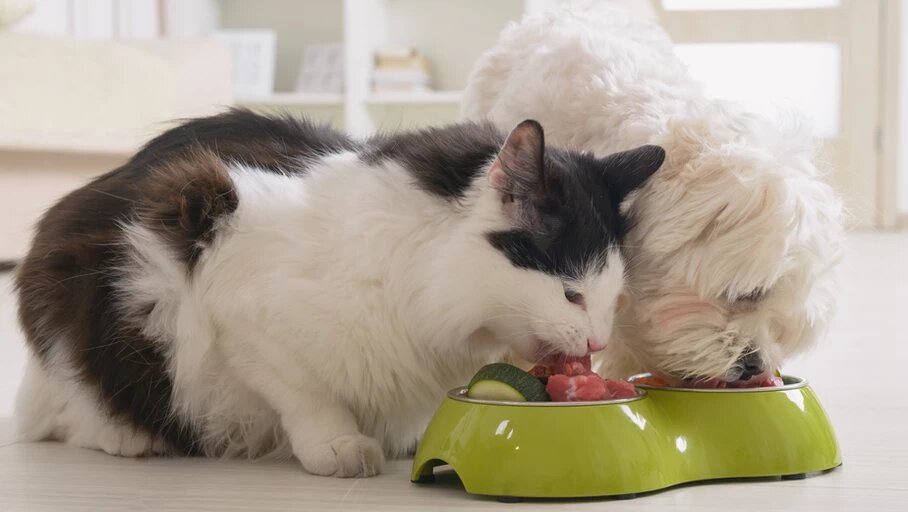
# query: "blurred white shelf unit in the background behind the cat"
(451, 34)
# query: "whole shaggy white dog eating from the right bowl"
(736, 238)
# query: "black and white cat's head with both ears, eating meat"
(550, 271)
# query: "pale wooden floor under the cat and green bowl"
(860, 373)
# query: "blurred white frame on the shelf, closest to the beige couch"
(252, 53)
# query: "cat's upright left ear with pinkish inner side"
(518, 172)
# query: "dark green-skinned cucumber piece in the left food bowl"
(506, 383)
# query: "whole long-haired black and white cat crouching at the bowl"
(251, 286)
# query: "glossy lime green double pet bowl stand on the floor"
(662, 438)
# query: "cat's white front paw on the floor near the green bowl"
(345, 456)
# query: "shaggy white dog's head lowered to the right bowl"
(731, 256)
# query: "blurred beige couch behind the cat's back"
(71, 109)
